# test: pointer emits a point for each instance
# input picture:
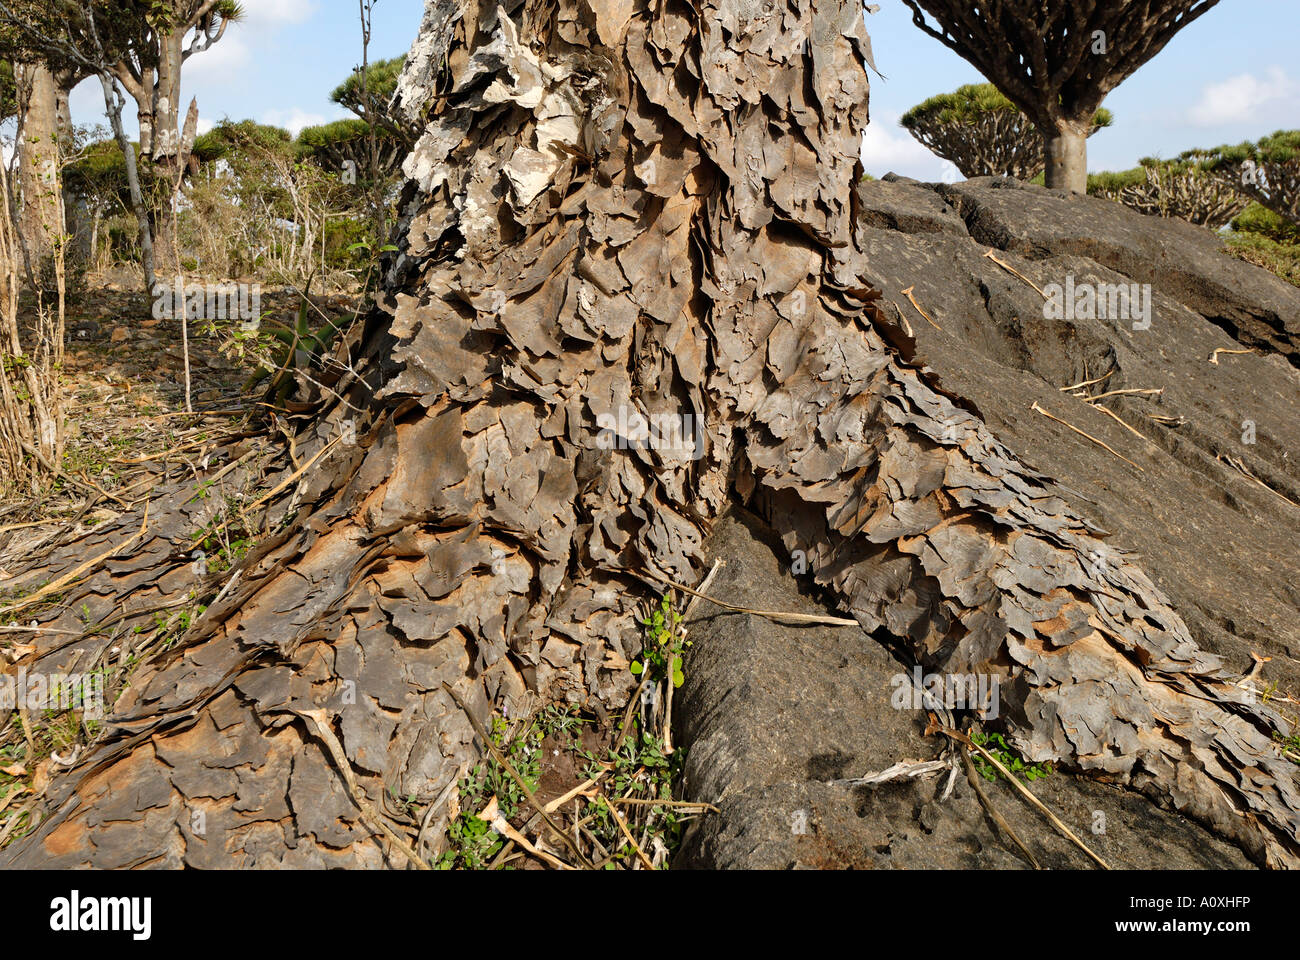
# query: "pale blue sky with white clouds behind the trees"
(1232, 76)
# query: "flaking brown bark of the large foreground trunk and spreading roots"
(651, 209)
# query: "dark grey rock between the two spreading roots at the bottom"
(774, 715)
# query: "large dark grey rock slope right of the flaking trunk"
(1220, 544)
